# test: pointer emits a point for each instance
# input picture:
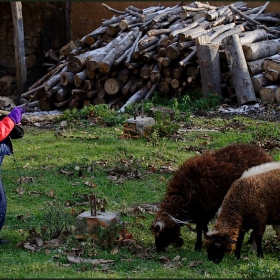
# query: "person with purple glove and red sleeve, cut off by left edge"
(6, 126)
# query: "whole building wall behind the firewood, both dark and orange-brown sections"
(51, 25)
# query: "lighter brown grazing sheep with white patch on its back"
(253, 201)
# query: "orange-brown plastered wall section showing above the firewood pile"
(87, 16)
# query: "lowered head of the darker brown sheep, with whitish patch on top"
(166, 233)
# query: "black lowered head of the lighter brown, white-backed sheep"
(217, 246)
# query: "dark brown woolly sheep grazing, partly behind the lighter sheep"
(197, 190)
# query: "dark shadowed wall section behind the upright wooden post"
(44, 28)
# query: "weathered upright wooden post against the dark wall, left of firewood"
(19, 46)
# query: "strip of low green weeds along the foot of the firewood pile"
(183, 106)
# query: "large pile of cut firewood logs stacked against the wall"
(227, 50)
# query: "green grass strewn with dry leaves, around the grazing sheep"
(41, 156)
